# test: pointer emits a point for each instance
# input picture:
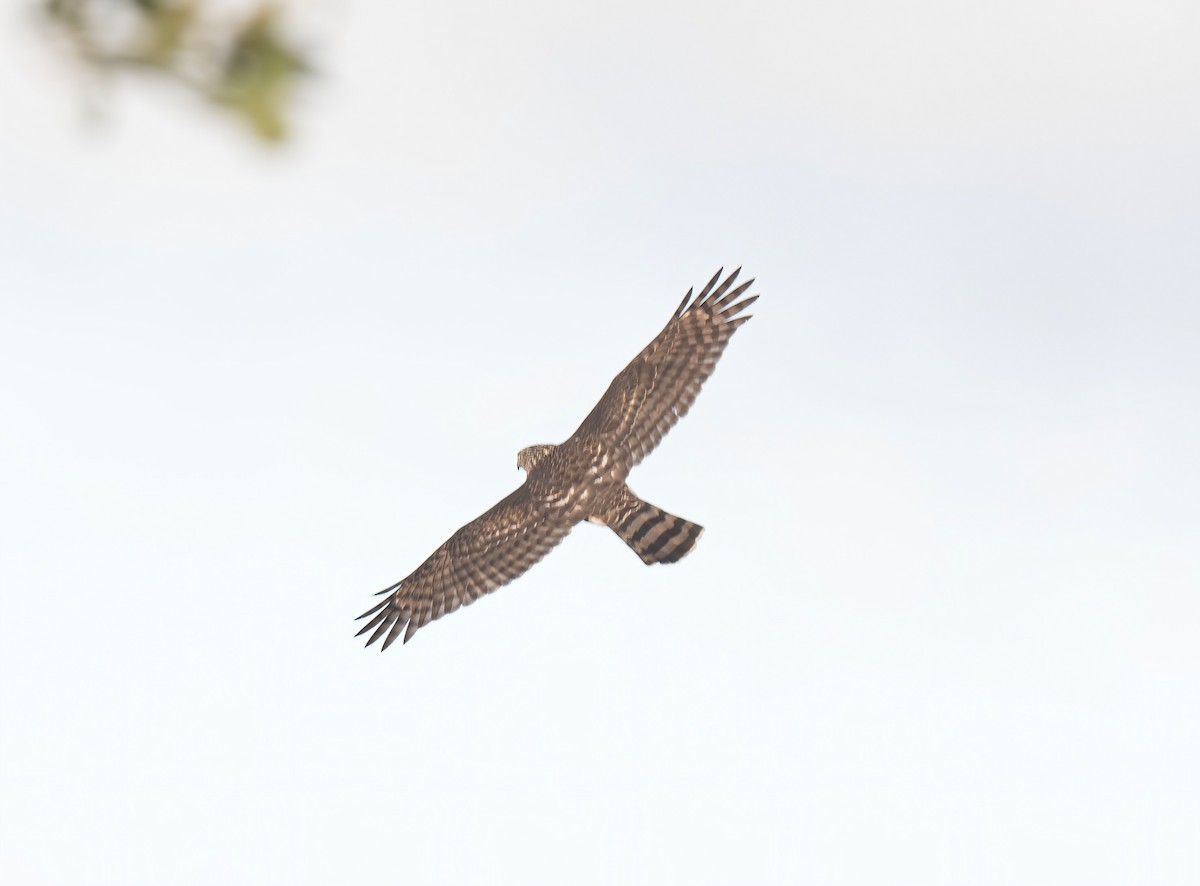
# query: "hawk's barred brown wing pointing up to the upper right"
(661, 385)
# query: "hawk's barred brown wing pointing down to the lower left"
(484, 555)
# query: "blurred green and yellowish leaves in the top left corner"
(244, 64)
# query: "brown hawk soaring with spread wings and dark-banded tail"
(583, 478)
